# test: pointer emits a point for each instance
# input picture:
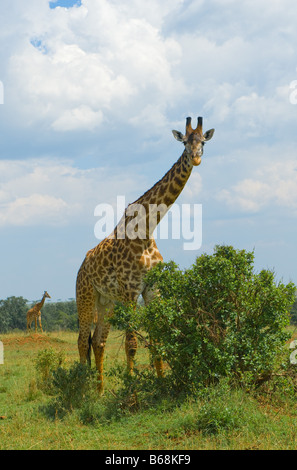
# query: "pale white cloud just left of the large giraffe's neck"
(52, 192)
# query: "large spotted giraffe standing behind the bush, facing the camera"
(115, 269)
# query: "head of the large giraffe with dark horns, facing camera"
(194, 140)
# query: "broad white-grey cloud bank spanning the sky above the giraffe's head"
(98, 63)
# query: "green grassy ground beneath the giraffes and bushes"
(219, 418)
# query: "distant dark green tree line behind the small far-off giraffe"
(55, 316)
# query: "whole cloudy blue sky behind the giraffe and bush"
(90, 91)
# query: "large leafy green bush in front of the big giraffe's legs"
(215, 319)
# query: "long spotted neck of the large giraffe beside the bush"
(155, 203)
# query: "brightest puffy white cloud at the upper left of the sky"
(75, 67)
